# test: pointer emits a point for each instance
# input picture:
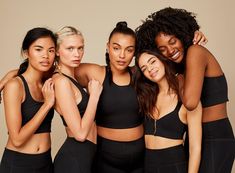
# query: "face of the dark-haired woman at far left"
(41, 54)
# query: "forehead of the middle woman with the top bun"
(123, 39)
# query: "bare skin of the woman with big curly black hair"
(199, 63)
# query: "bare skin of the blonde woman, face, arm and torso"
(70, 52)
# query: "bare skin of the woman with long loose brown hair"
(154, 70)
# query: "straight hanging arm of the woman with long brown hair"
(194, 120)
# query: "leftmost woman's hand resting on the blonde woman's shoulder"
(48, 92)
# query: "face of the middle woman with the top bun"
(121, 48)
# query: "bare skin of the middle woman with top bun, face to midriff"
(121, 49)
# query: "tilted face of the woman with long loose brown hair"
(152, 68)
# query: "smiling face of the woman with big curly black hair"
(170, 46)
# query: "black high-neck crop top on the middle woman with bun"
(118, 106)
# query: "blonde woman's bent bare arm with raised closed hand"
(66, 102)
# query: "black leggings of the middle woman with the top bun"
(119, 157)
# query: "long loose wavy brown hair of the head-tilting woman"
(147, 91)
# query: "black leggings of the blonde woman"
(74, 157)
